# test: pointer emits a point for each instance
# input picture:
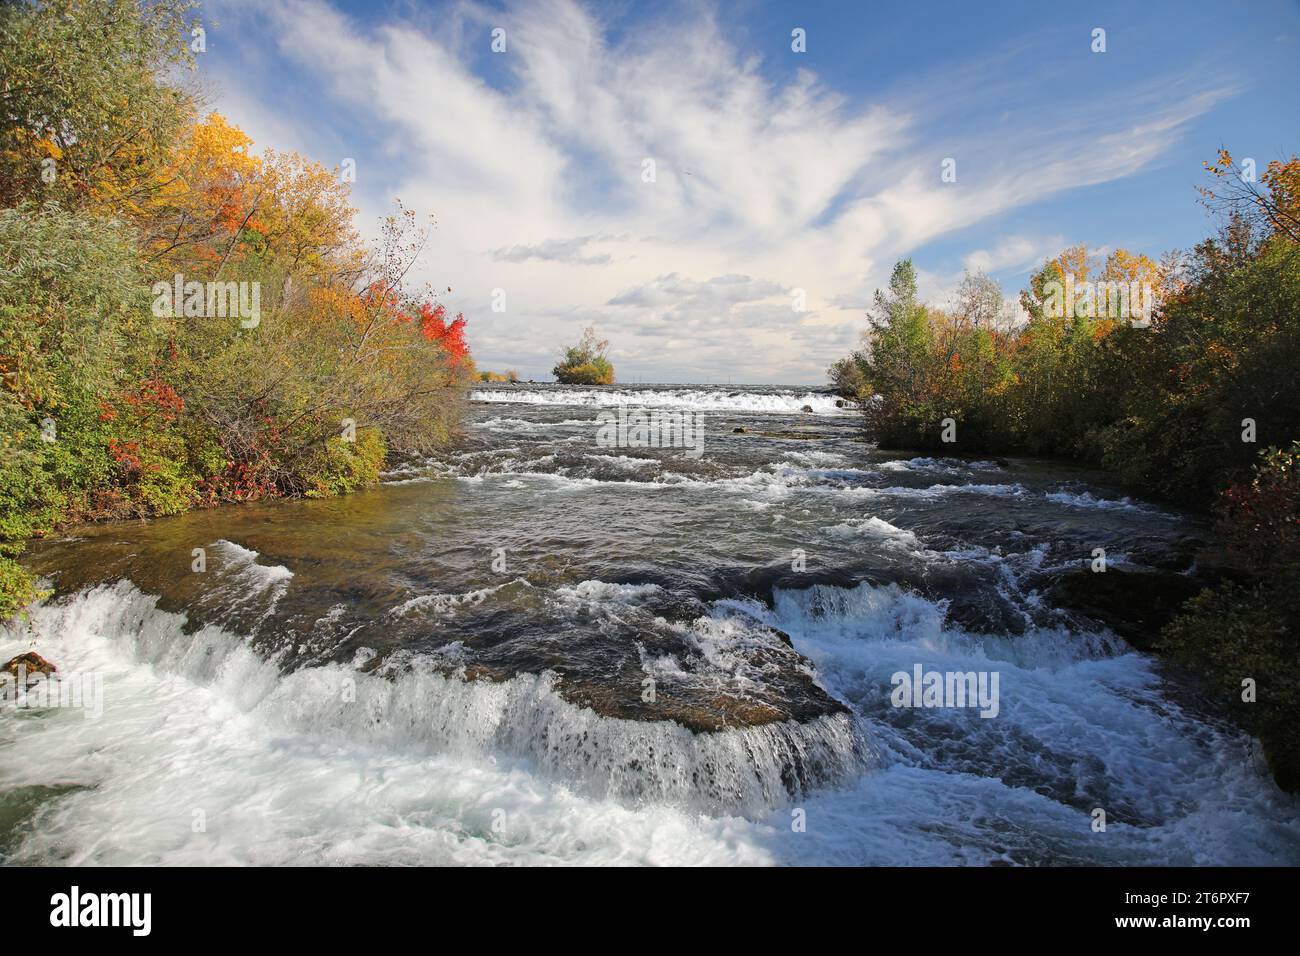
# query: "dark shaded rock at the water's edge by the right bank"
(1133, 604)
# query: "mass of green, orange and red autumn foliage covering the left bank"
(111, 404)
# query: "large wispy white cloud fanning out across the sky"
(761, 188)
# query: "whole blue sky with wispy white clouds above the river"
(721, 206)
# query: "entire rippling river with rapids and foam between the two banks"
(458, 667)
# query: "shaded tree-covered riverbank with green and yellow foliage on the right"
(1189, 400)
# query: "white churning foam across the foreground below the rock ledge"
(423, 768)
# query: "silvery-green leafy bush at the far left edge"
(72, 328)
